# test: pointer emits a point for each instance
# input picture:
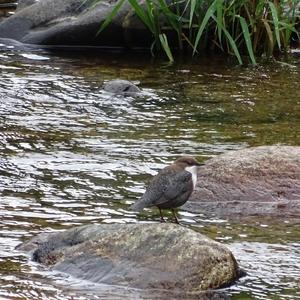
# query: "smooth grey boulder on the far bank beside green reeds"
(74, 22)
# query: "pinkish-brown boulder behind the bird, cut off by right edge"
(255, 181)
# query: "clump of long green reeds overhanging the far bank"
(251, 28)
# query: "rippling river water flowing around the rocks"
(72, 154)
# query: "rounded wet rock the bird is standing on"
(156, 256)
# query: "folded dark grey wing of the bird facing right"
(177, 185)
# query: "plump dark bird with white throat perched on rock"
(171, 187)
